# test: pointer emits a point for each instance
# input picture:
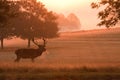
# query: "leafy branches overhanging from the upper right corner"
(110, 16)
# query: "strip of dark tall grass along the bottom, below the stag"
(35, 71)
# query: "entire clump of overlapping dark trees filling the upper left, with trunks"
(26, 19)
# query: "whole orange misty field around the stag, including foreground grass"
(83, 55)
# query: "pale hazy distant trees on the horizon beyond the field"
(68, 23)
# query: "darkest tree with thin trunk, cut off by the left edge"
(6, 13)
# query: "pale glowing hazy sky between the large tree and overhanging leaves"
(82, 8)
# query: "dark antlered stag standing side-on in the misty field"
(30, 53)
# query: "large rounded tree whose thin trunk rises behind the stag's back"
(35, 21)
